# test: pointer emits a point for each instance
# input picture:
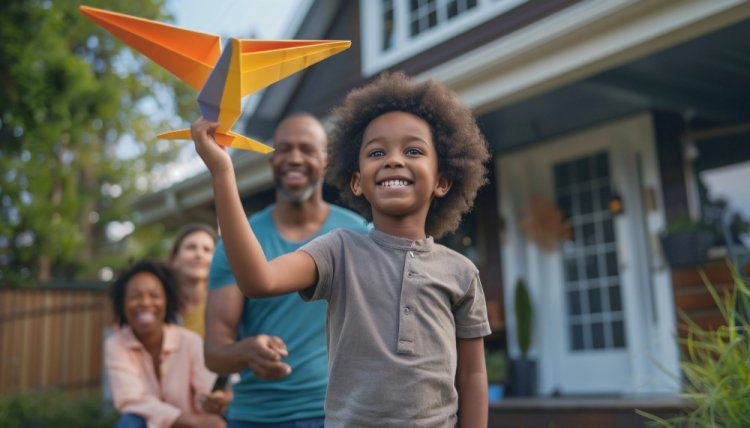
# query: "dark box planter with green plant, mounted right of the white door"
(686, 242)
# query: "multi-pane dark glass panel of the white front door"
(594, 312)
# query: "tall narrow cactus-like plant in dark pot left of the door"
(523, 369)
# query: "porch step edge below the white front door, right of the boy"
(581, 411)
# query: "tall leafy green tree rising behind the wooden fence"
(79, 112)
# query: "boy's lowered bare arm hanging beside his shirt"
(471, 382)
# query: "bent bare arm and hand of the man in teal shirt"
(225, 353)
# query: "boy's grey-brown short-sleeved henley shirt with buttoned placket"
(395, 309)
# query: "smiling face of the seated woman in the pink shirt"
(145, 303)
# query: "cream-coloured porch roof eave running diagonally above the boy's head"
(578, 42)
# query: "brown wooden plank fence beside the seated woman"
(51, 337)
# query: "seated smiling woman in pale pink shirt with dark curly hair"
(156, 367)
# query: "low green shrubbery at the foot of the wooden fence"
(55, 409)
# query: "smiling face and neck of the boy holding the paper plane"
(398, 171)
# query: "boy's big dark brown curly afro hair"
(461, 148)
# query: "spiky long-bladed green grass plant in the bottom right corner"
(716, 372)
